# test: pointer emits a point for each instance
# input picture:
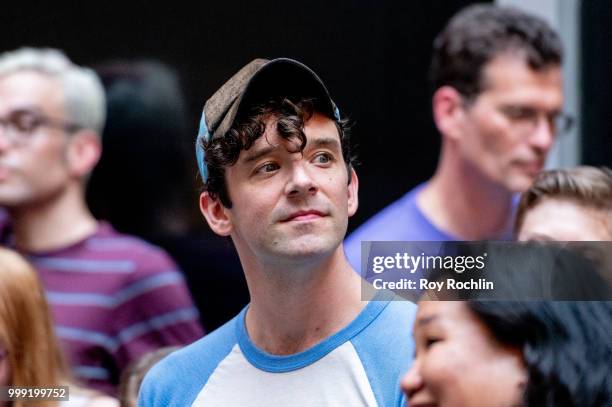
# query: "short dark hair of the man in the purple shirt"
(479, 33)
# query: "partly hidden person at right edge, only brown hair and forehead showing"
(572, 204)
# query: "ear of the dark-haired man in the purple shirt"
(448, 111)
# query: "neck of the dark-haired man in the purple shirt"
(465, 204)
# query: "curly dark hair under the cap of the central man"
(290, 114)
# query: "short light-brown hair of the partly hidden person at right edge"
(590, 187)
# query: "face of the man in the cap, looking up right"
(286, 204)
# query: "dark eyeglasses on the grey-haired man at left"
(19, 125)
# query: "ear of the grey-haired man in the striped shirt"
(83, 152)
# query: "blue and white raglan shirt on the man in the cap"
(361, 365)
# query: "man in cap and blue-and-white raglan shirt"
(278, 178)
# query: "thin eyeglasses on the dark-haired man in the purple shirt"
(526, 118)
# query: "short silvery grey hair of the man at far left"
(84, 98)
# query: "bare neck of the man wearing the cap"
(293, 309)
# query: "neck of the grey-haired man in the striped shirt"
(53, 224)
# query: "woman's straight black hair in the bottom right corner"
(552, 303)
